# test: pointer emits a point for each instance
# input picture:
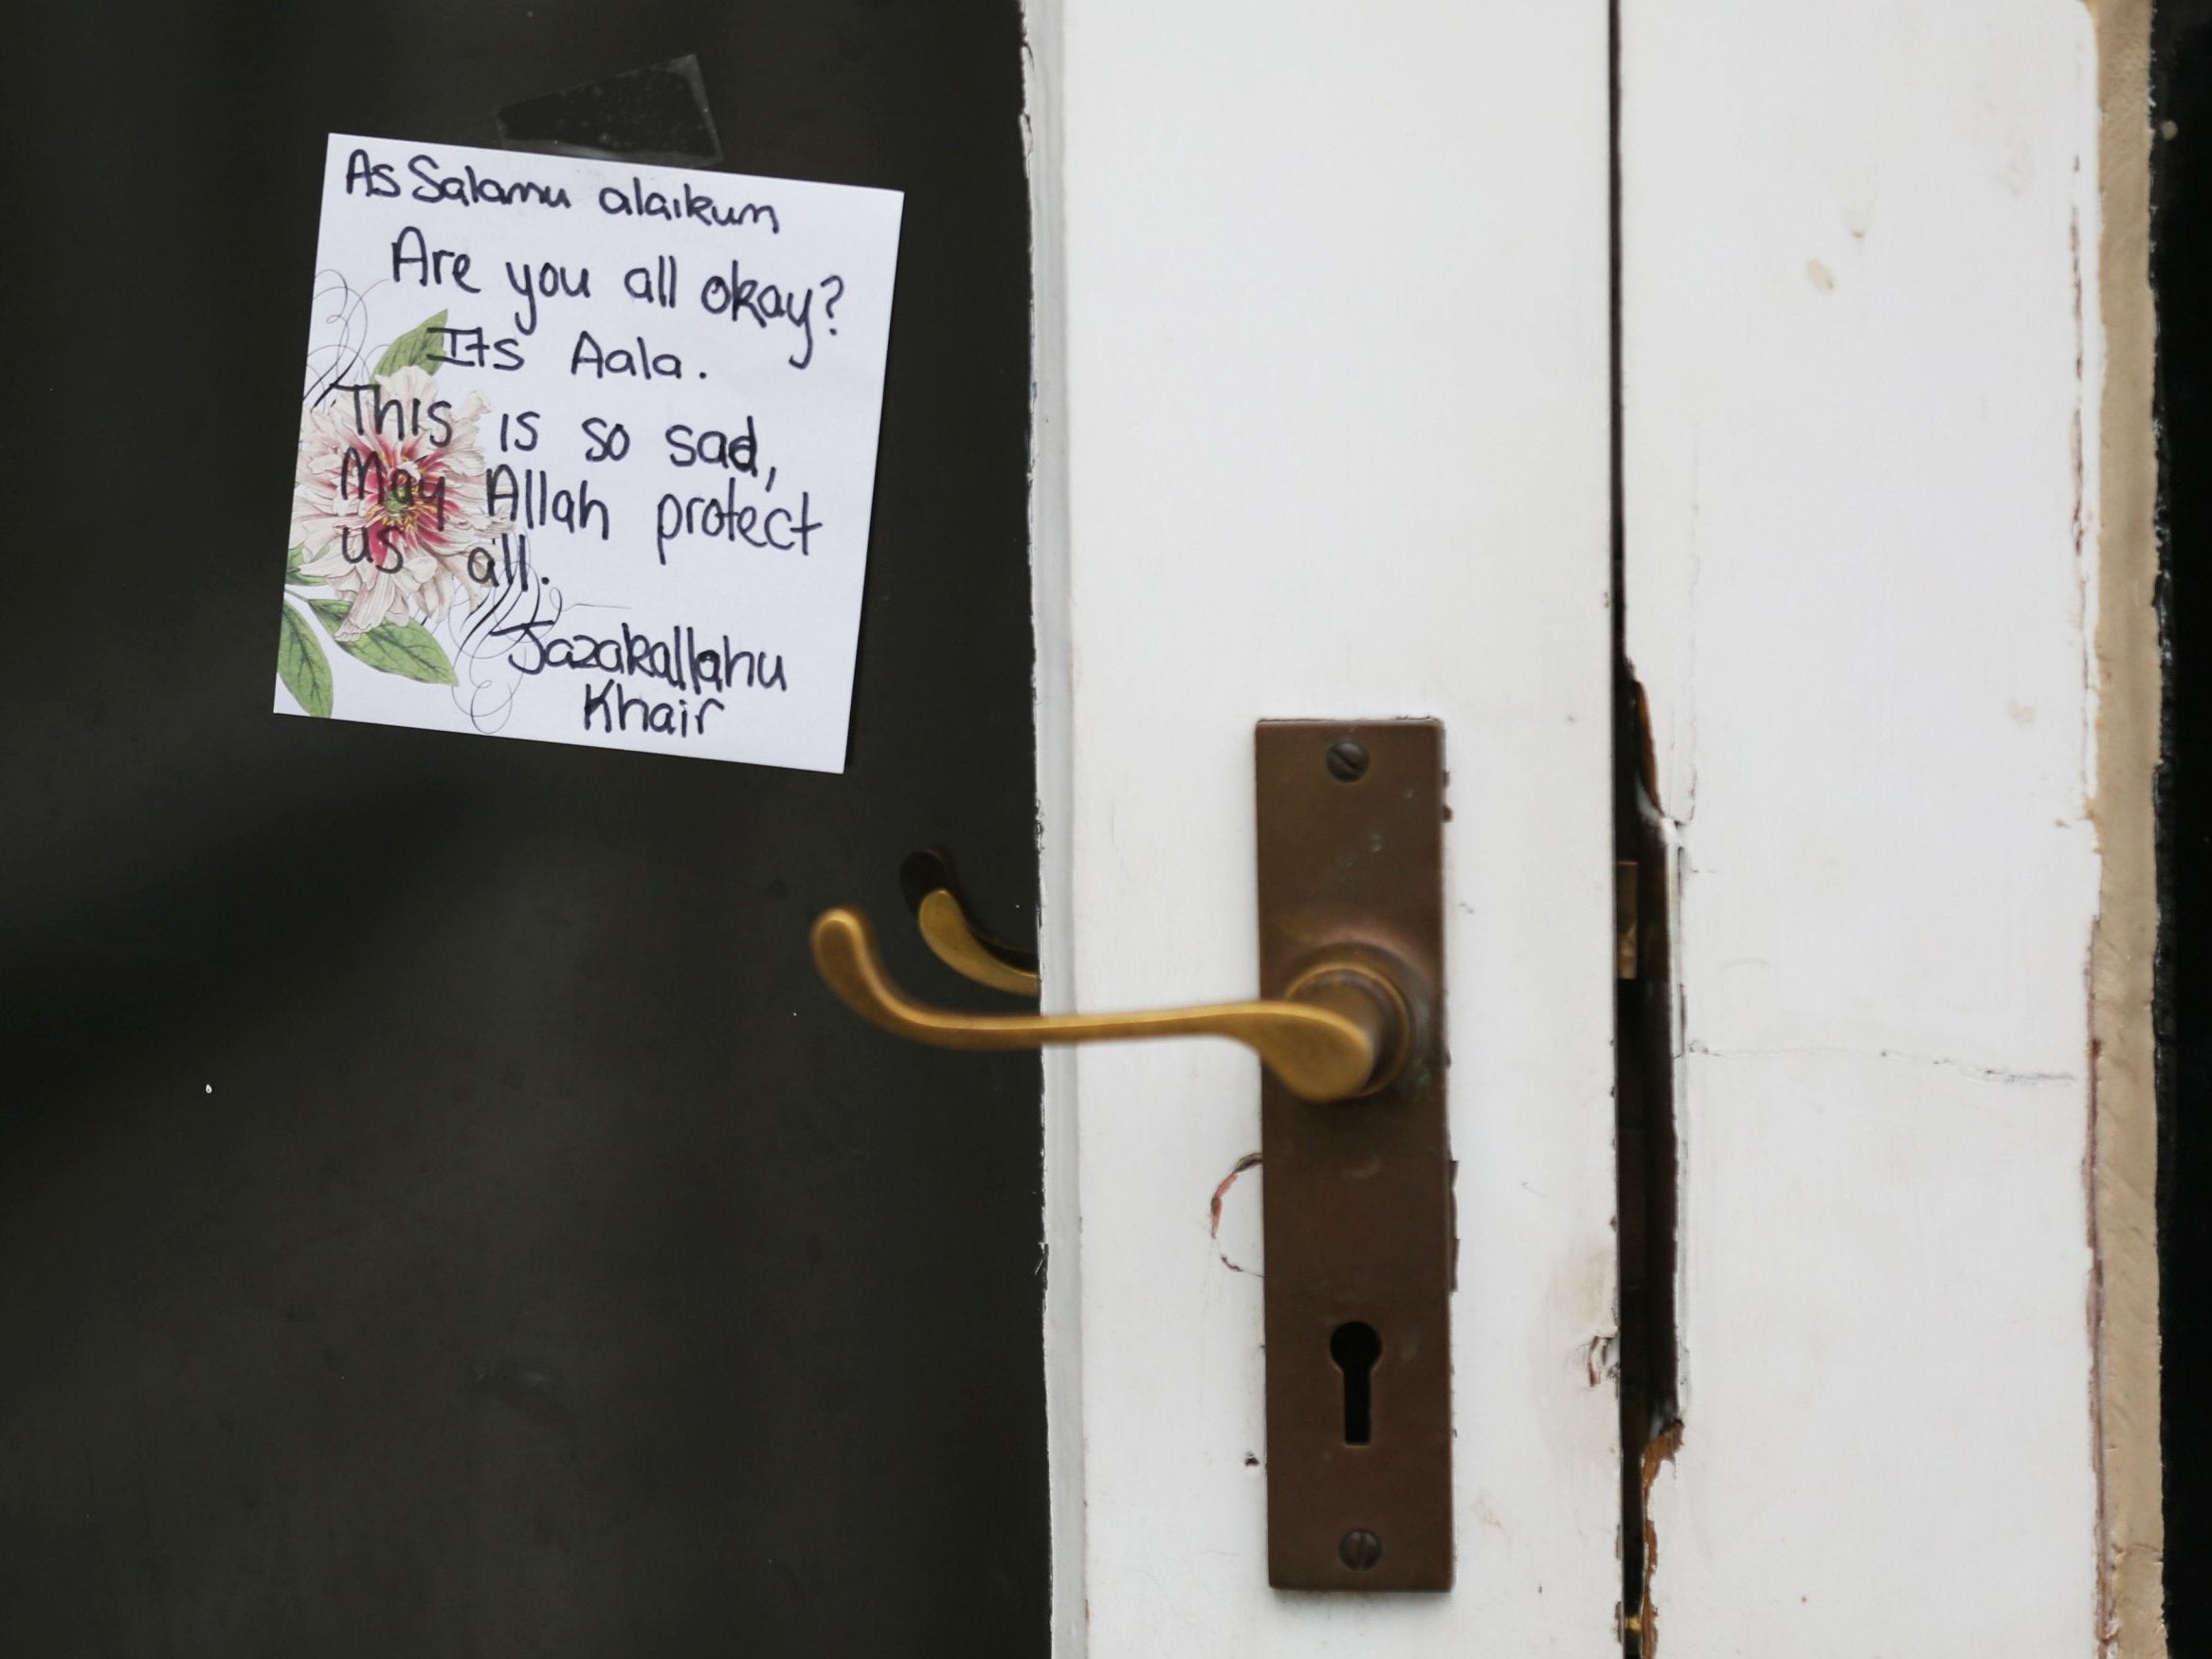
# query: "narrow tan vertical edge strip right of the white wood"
(2122, 1120)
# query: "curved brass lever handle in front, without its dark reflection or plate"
(1342, 1032)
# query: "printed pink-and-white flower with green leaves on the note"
(390, 517)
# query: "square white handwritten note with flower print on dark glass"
(587, 452)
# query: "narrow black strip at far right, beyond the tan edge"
(2182, 271)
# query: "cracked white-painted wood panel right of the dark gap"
(1864, 362)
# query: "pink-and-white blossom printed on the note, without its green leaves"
(393, 508)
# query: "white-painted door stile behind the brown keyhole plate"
(1324, 432)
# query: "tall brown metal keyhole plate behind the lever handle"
(1357, 1196)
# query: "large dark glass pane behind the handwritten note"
(552, 1269)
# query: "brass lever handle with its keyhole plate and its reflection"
(1361, 1227)
